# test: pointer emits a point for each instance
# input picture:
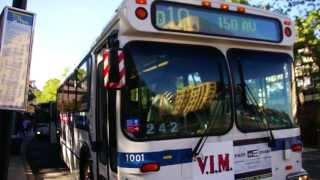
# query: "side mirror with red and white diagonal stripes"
(114, 73)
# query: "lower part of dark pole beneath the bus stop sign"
(6, 126)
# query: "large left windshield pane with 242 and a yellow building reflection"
(175, 91)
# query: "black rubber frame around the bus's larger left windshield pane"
(228, 90)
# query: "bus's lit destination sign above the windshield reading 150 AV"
(200, 20)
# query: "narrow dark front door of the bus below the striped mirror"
(106, 128)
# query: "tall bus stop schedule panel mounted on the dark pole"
(16, 36)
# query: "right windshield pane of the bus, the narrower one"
(263, 89)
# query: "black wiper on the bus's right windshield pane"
(261, 114)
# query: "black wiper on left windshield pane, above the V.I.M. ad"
(197, 149)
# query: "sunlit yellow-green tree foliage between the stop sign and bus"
(49, 92)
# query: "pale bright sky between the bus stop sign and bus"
(64, 33)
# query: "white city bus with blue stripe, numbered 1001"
(184, 89)
